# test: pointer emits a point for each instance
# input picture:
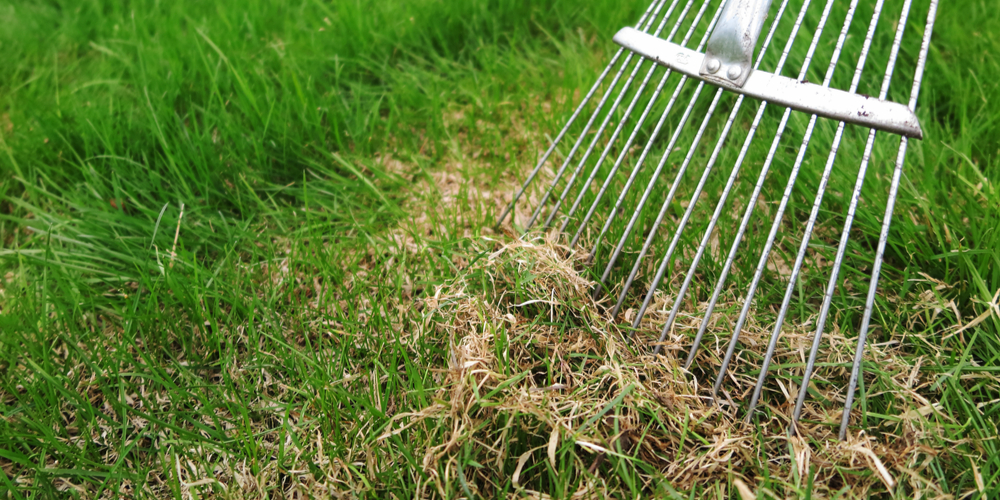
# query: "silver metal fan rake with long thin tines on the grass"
(727, 38)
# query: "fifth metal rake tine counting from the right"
(777, 138)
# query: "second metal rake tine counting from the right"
(849, 219)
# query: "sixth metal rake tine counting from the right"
(722, 198)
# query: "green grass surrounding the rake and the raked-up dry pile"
(221, 223)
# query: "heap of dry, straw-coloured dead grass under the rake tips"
(544, 394)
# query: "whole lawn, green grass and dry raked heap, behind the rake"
(248, 251)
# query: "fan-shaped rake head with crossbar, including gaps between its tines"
(657, 113)
